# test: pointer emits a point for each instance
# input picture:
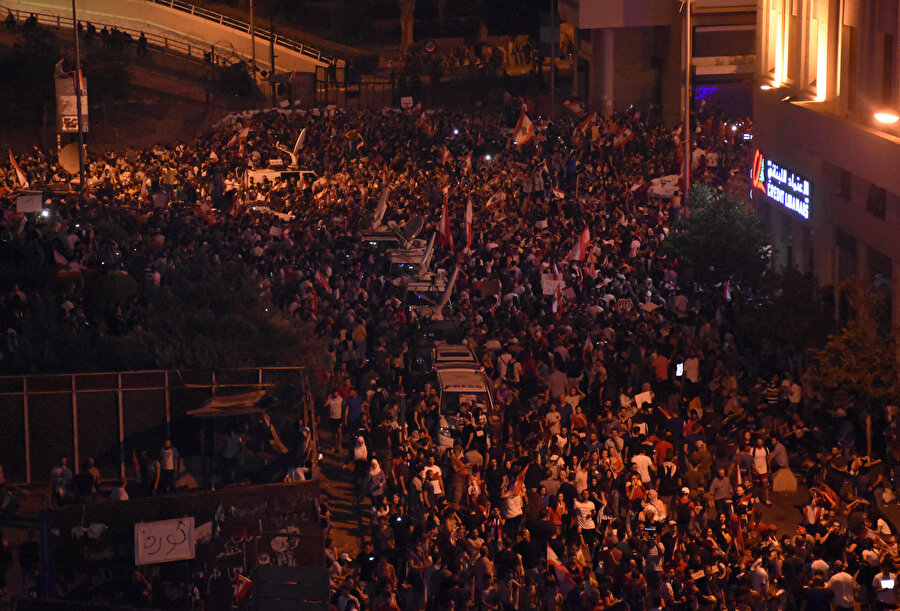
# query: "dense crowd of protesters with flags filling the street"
(636, 435)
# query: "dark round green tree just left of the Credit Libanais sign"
(722, 240)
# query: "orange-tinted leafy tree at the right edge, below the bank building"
(858, 366)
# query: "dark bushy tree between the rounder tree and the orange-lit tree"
(787, 310)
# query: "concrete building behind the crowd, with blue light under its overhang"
(632, 52)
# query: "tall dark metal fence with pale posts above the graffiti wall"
(108, 416)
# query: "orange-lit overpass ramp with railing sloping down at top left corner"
(179, 26)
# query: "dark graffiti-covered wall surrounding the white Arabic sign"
(92, 549)
